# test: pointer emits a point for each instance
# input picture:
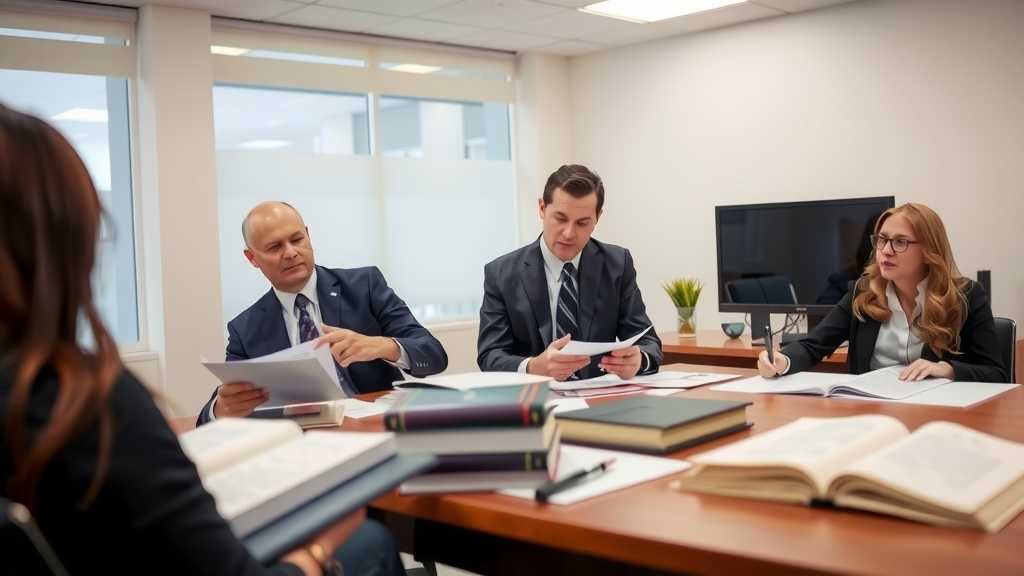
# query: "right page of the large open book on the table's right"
(951, 466)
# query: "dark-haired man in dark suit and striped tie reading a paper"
(565, 286)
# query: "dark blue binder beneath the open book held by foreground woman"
(297, 527)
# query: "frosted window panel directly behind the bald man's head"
(335, 196)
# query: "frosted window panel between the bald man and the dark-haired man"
(446, 219)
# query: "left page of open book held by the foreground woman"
(228, 441)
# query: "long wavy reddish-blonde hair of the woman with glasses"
(946, 303)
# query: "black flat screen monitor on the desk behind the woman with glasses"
(793, 258)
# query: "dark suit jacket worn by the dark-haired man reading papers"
(516, 316)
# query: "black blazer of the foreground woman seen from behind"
(152, 516)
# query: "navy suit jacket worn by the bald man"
(359, 300)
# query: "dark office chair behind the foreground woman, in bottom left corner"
(26, 550)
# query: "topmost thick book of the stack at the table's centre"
(498, 406)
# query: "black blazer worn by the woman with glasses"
(980, 360)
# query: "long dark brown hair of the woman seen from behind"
(49, 233)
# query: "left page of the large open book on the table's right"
(819, 447)
